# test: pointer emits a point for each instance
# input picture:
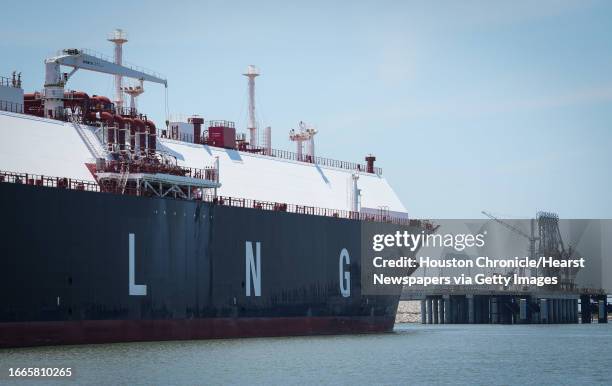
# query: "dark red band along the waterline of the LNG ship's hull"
(24, 334)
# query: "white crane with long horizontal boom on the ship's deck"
(80, 59)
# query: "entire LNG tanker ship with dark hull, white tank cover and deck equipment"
(115, 230)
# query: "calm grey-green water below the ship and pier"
(413, 354)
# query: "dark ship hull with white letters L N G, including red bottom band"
(86, 267)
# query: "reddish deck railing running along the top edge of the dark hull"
(92, 186)
